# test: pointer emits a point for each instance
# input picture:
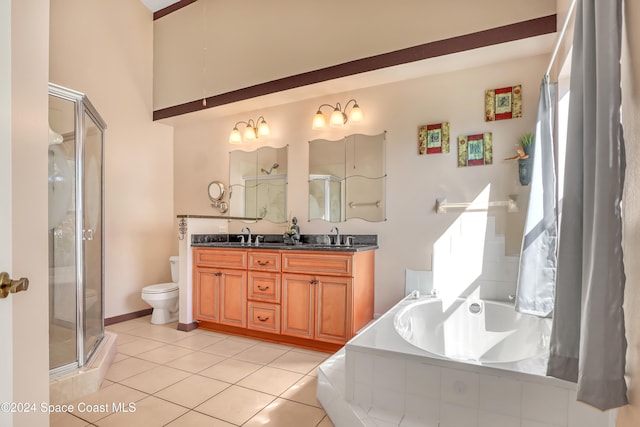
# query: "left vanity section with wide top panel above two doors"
(220, 286)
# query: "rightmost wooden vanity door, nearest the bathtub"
(333, 309)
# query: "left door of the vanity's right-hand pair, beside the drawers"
(298, 302)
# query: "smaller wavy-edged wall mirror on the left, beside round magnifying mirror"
(258, 184)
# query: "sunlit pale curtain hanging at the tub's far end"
(538, 257)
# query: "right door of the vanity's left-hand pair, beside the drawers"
(233, 298)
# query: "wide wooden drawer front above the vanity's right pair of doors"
(317, 263)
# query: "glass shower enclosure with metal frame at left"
(76, 268)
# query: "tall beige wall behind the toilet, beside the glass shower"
(105, 49)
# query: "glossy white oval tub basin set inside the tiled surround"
(473, 330)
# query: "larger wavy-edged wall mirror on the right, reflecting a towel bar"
(347, 178)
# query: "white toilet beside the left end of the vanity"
(163, 297)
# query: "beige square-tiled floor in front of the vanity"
(199, 378)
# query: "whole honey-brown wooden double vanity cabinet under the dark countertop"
(315, 299)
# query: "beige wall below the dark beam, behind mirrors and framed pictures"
(414, 182)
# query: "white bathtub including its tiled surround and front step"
(464, 363)
